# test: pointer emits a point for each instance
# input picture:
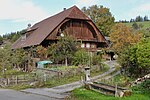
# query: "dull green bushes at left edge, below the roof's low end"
(10, 59)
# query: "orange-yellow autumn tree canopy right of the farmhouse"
(123, 36)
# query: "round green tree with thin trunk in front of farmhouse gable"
(64, 49)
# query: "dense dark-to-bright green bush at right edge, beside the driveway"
(136, 59)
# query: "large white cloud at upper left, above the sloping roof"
(21, 10)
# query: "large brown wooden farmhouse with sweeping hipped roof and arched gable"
(70, 21)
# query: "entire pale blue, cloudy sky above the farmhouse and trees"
(15, 15)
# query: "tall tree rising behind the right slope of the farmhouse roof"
(101, 16)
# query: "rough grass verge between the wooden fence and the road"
(57, 81)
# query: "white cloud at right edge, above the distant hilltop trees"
(141, 10)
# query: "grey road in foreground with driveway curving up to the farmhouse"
(55, 93)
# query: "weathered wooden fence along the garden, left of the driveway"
(41, 74)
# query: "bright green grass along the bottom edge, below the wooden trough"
(84, 94)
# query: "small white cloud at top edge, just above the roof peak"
(86, 3)
